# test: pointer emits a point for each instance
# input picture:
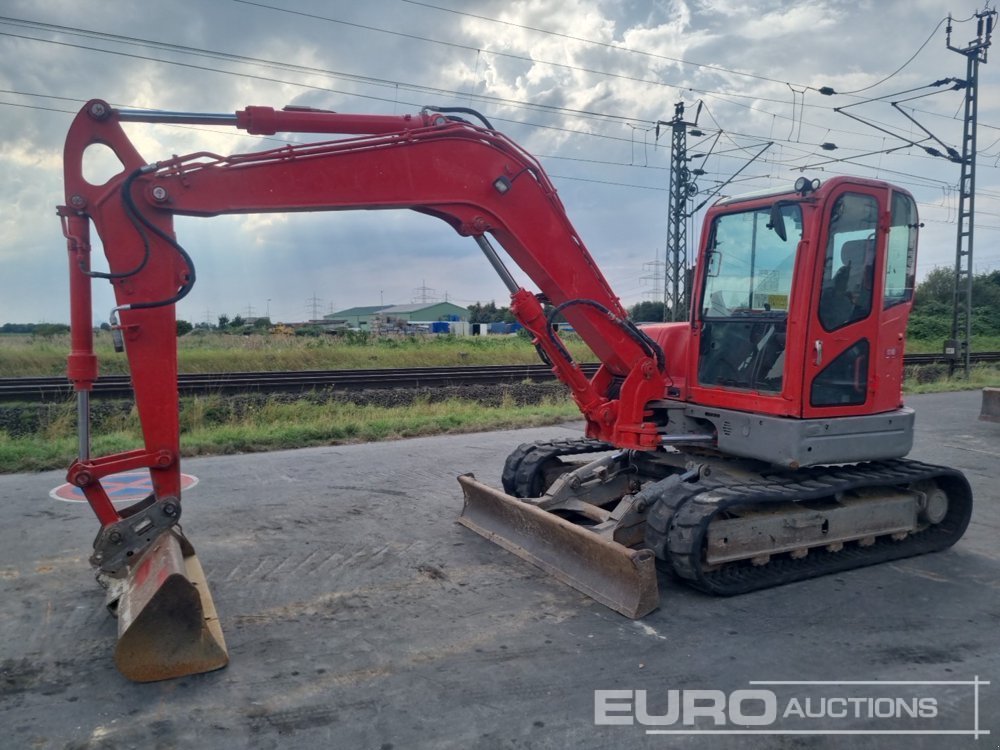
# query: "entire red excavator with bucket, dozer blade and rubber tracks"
(759, 442)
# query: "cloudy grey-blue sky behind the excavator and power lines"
(579, 83)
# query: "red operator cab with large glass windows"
(801, 305)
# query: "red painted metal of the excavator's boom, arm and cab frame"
(477, 181)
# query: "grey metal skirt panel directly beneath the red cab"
(808, 442)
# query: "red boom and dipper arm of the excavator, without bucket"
(425, 163)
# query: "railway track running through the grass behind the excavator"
(119, 386)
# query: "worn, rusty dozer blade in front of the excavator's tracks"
(618, 577)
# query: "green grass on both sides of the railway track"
(212, 425)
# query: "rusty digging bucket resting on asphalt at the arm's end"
(167, 623)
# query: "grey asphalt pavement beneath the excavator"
(359, 615)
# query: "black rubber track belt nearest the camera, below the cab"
(677, 525)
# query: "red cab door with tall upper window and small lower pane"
(844, 340)
